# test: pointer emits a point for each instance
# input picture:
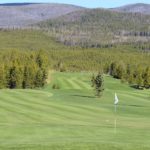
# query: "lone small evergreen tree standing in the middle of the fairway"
(98, 84)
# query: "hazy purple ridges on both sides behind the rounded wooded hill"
(21, 15)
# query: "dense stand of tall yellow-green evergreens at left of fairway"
(20, 69)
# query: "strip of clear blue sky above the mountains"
(85, 3)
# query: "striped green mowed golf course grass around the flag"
(72, 118)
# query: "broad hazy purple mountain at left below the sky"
(23, 14)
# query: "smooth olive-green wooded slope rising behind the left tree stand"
(27, 40)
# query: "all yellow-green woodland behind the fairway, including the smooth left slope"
(22, 68)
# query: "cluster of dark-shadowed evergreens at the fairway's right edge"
(136, 75)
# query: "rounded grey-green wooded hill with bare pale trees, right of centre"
(99, 26)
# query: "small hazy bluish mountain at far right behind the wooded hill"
(135, 8)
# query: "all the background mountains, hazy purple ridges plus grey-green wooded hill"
(74, 25)
